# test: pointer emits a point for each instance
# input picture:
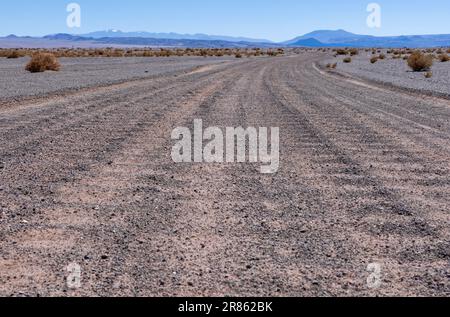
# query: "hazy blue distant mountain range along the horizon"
(322, 38)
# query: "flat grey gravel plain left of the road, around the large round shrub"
(77, 73)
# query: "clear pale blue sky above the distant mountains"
(271, 19)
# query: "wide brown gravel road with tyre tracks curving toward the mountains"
(364, 179)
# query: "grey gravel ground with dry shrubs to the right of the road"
(395, 72)
